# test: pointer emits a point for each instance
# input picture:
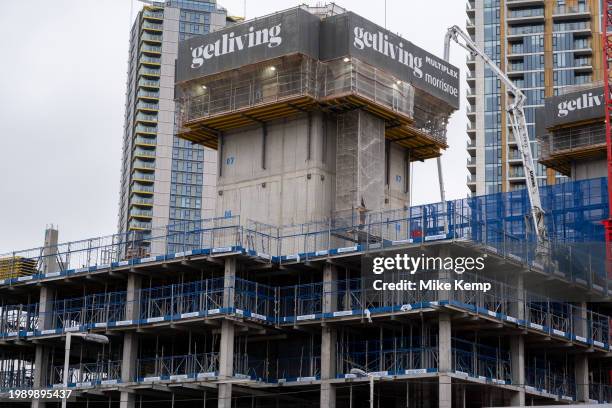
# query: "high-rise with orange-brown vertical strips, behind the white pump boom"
(543, 46)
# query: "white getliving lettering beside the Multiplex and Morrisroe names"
(380, 42)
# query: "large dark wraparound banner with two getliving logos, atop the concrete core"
(297, 31)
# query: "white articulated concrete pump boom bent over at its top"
(518, 124)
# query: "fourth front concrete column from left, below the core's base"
(328, 338)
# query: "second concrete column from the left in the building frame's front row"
(130, 340)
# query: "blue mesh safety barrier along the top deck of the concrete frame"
(497, 222)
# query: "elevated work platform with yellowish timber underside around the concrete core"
(292, 85)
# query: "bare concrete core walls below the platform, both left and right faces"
(290, 189)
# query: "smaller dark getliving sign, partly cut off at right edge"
(575, 107)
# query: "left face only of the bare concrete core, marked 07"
(281, 186)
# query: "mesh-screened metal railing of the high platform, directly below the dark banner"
(302, 76)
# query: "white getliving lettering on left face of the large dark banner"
(230, 42)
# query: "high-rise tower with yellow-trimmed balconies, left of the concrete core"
(164, 180)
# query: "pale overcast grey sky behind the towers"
(62, 86)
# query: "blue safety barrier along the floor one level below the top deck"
(295, 304)
